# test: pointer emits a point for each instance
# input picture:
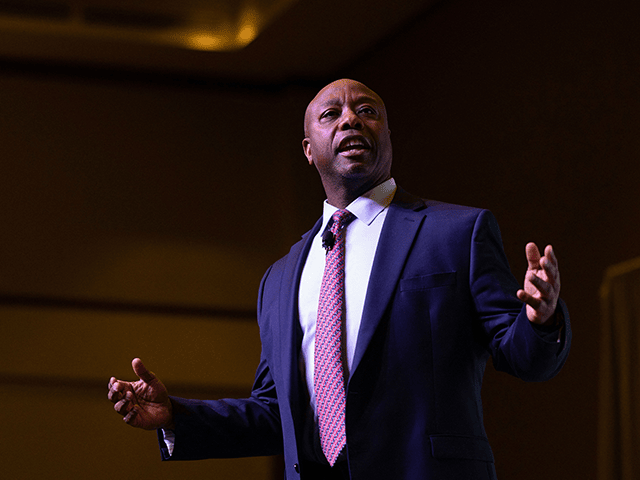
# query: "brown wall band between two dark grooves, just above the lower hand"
(95, 345)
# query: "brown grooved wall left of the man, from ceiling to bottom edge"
(137, 220)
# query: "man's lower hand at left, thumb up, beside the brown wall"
(144, 403)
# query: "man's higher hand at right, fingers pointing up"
(541, 284)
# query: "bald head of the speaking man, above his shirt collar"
(347, 138)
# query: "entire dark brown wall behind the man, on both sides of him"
(135, 193)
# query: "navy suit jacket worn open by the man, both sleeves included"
(440, 302)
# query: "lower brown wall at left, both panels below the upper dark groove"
(54, 369)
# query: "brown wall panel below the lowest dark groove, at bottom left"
(72, 433)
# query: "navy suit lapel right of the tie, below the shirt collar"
(401, 225)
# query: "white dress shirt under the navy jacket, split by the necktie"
(362, 238)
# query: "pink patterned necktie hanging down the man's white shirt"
(328, 375)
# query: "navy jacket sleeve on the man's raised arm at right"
(517, 346)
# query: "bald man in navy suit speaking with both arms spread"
(423, 296)
